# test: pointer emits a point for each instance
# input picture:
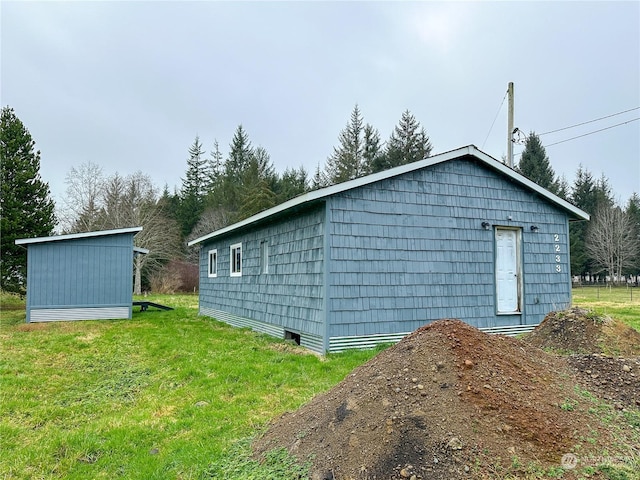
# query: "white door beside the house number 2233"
(507, 271)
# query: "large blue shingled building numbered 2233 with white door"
(457, 235)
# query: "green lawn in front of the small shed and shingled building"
(165, 395)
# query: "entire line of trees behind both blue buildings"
(217, 190)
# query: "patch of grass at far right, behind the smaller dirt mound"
(621, 303)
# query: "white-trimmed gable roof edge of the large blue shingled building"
(468, 151)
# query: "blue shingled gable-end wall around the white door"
(411, 249)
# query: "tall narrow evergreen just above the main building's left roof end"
(192, 194)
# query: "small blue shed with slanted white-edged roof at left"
(83, 276)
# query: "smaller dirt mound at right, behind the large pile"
(579, 331)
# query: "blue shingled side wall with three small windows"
(290, 295)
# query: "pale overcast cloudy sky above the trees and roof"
(128, 85)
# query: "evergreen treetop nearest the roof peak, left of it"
(408, 143)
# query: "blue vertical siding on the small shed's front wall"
(88, 272)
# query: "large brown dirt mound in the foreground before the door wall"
(448, 401)
